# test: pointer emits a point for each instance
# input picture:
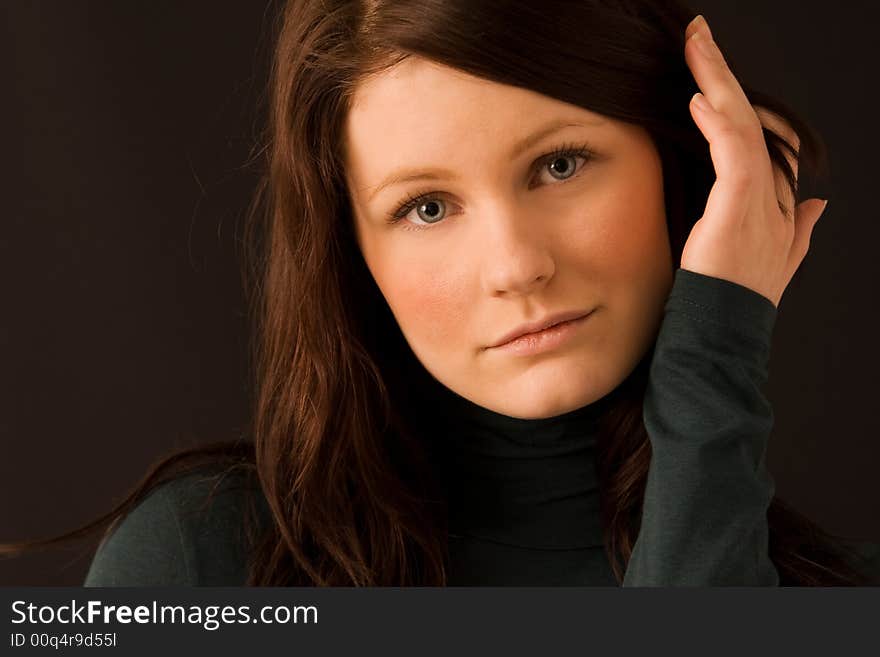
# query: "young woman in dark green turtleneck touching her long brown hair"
(514, 297)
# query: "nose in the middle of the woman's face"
(516, 260)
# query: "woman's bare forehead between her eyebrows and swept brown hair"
(422, 107)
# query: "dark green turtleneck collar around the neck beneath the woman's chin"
(524, 482)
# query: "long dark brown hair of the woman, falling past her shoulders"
(335, 446)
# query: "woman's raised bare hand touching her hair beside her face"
(743, 236)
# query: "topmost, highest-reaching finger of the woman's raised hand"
(715, 78)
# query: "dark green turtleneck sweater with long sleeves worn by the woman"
(524, 494)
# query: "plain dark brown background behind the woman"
(125, 128)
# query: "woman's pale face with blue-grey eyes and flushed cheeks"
(506, 237)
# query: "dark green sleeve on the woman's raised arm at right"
(704, 518)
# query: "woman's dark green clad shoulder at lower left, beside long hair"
(189, 531)
